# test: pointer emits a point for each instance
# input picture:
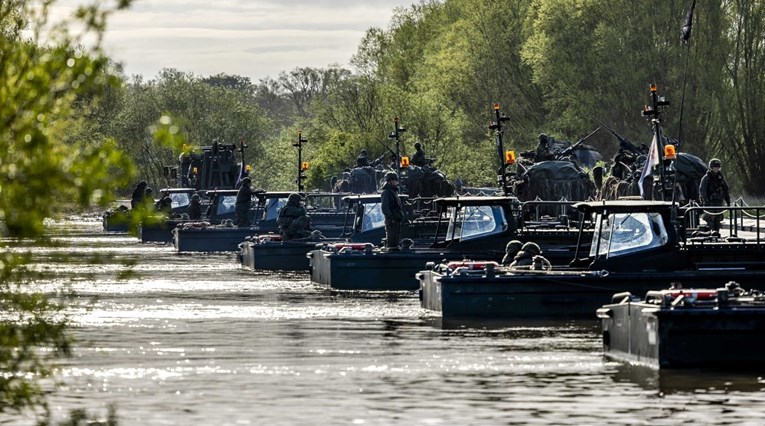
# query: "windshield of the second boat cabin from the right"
(471, 222)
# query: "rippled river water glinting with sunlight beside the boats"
(193, 340)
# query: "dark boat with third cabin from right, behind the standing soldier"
(364, 223)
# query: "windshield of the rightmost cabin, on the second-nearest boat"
(623, 233)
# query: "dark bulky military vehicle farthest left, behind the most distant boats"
(209, 167)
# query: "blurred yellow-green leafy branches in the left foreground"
(46, 80)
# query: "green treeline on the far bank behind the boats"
(551, 64)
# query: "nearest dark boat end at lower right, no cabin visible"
(721, 328)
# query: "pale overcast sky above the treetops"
(253, 38)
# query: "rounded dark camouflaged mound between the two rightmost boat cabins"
(553, 181)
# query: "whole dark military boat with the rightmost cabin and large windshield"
(636, 246)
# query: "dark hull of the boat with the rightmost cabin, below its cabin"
(551, 295)
